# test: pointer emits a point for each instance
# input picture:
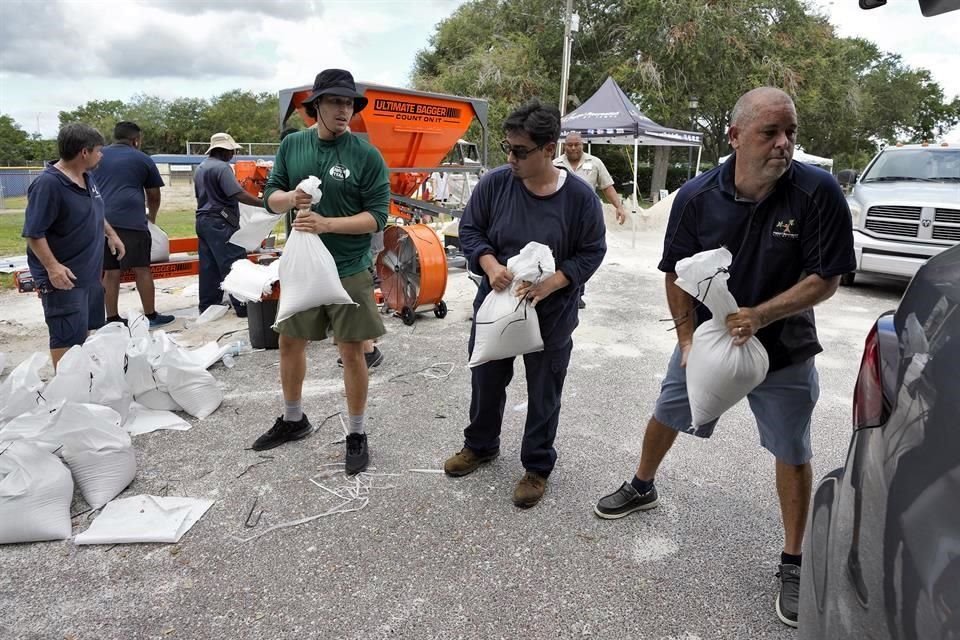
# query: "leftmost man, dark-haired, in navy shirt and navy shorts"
(64, 226)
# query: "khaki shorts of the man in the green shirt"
(347, 322)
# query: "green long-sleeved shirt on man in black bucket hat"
(353, 178)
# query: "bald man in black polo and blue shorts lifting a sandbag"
(789, 229)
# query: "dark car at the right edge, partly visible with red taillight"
(882, 551)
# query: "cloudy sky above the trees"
(59, 54)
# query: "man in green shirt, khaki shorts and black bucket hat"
(356, 195)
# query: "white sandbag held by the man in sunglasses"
(507, 326)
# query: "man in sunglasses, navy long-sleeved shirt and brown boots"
(528, 200)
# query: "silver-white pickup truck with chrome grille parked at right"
(906, 209)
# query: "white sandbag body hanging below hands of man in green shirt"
(308, 276)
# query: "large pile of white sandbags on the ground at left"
(76, 428)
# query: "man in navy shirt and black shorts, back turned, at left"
(124, 176)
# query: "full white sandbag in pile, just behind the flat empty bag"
(98, 452)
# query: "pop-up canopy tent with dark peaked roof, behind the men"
(609, 117)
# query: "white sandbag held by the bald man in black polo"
(719, 373)
